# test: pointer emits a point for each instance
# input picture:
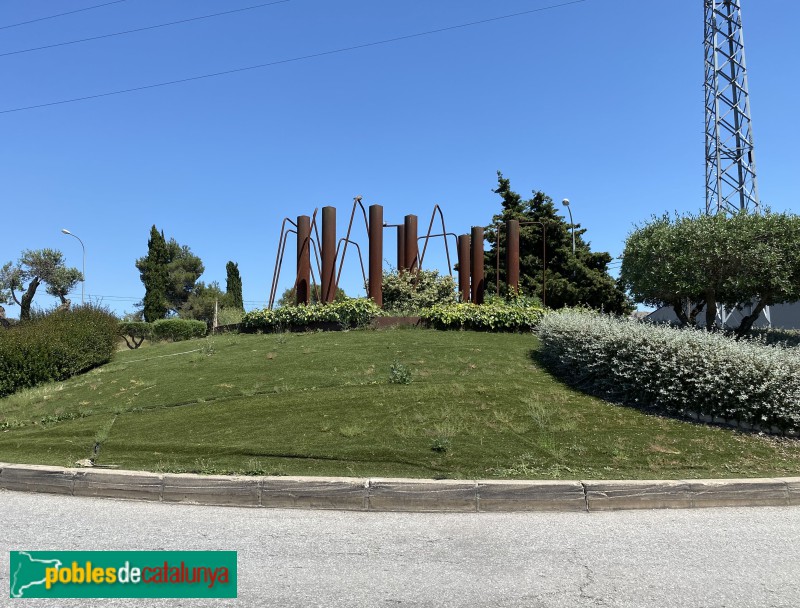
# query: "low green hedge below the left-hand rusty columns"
(350, 312)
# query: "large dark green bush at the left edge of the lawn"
(55, 347)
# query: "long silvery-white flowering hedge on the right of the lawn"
(680, 371)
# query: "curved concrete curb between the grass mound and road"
(408, 495)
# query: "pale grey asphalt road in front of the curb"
(697, 558)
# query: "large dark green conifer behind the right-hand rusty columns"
(569, 280)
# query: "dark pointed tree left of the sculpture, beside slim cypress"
(169, 272)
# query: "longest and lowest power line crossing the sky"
(295, 59)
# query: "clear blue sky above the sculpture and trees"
(599, 101)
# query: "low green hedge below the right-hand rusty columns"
(496, 316)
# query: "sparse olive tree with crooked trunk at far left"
(35, 267)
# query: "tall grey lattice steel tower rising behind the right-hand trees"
(731, 184)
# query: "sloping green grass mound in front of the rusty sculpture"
(477, 406)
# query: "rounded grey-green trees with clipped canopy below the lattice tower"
(695, 262)
